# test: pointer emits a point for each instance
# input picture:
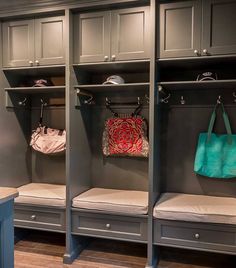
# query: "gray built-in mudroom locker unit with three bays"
(74, 67)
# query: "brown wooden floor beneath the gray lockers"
(45, 250)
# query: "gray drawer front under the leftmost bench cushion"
(45, 219)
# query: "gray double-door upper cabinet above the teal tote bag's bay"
(197, 28)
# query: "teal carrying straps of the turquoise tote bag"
(226, 123)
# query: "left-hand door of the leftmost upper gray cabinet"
(18, 43)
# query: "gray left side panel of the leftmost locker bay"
(15, 130)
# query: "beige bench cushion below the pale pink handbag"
(42, 194)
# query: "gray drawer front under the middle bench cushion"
(130, 228)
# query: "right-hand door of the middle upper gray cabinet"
(130, 34)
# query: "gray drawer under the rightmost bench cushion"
(201, 236)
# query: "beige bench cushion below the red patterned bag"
(122, 201)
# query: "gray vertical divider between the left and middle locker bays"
(78, 155)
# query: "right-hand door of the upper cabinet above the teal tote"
(219, 27)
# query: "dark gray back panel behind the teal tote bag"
(180, 139)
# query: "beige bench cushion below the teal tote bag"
(196, 208)
